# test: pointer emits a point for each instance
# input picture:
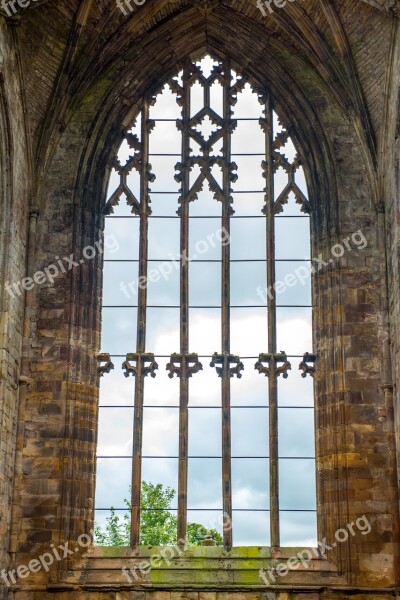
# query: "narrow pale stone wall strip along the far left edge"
(14, 183)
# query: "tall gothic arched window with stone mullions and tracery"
(207, 304)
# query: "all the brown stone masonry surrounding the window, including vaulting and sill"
(71, 74)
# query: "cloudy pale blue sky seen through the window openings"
(250, 478)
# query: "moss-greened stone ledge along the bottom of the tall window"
(198, 568)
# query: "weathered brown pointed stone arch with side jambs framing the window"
(71, 195)
